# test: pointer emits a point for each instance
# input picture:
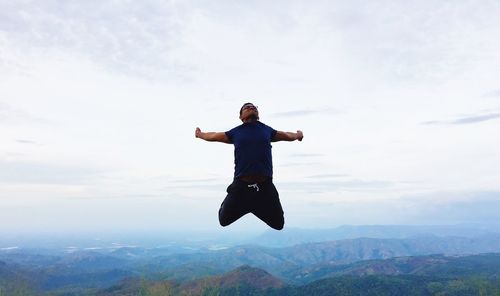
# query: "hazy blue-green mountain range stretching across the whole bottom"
(104, 271)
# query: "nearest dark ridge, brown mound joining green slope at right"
(423, 275)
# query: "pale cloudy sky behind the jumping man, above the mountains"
(399, 102)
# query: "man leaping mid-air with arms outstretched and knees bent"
(252, 190)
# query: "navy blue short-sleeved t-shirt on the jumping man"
(252, 149)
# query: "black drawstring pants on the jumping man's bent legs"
(260, 199)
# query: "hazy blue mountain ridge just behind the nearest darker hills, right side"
(285, 262)
